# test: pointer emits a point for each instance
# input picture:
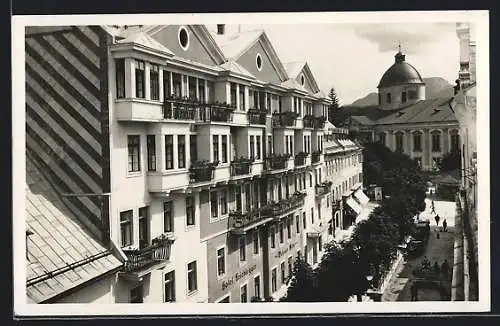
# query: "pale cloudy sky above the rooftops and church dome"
(352, 58)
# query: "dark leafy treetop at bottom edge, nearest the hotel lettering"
(302, 286)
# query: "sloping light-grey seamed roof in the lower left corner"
(62, 254)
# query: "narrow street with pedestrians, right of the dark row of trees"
(437, 250)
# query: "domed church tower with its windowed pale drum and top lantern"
(401, 85)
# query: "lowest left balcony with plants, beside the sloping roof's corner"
(141, 259)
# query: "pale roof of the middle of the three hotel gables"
(234, 46)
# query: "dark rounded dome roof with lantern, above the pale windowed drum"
(400, 73)
